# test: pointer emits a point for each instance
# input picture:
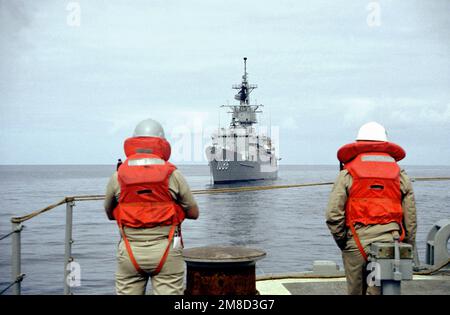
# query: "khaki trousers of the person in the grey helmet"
(148, 246)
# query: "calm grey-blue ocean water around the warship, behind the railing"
(289, 224)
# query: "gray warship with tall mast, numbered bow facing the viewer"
(240, 152)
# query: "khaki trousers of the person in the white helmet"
(356, 274)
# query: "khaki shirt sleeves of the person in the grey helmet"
(178, 188)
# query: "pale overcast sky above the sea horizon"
(72, 90)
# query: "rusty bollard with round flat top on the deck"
(221, 270)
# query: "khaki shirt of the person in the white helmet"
(335, 216)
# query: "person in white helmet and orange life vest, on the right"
(371, 201)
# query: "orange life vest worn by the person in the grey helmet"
(145, 200)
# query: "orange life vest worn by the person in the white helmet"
(375, 196)
